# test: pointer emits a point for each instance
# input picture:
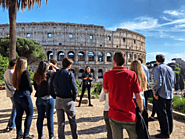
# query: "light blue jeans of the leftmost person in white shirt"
(11, 122)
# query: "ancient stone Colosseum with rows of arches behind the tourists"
(88, 45)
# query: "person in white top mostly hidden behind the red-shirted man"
(104, 97)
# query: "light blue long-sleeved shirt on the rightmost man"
(164, 78)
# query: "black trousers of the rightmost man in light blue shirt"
(165, 117)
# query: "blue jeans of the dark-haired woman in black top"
(48, 107)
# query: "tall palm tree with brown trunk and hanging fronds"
(12, 6)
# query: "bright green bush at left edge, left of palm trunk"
(4, 62)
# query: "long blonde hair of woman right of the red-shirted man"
(137, 68)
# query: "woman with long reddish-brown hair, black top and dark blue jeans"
(23, 102)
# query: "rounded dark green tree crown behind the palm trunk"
(28, 48)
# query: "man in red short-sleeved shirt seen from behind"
(121, 83)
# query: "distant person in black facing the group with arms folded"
(87, 79)
